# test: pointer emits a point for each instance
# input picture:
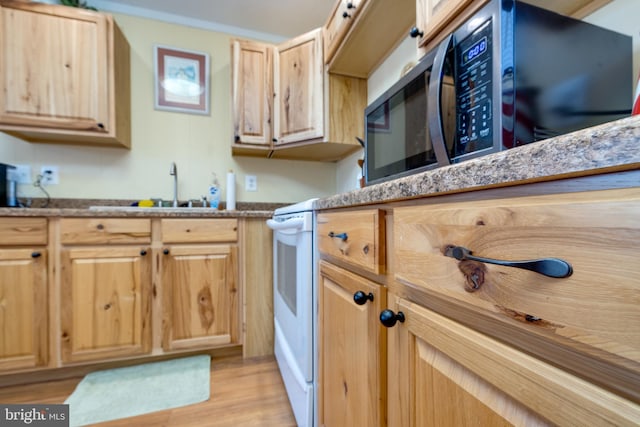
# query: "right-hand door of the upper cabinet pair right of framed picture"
(298, 86)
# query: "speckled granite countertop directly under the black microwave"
(613, 146)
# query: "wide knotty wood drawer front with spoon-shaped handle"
(592, 313)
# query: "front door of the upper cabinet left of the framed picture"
(53, 67)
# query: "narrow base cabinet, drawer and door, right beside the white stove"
(352, 345)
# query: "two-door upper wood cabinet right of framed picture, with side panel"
(296, 111)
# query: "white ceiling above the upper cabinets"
(273, 20)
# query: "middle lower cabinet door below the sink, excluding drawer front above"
(105, 302)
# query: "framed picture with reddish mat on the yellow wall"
(181, 80)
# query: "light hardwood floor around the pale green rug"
(244, 392)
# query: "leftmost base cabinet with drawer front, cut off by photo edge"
(23, 293)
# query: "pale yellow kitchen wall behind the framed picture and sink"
(88, 173)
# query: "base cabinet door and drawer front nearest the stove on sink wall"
(200, 283)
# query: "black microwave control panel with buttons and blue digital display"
(474, 86)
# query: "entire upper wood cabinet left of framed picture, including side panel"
(64, 75)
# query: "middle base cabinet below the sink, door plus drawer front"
(105, 291)
